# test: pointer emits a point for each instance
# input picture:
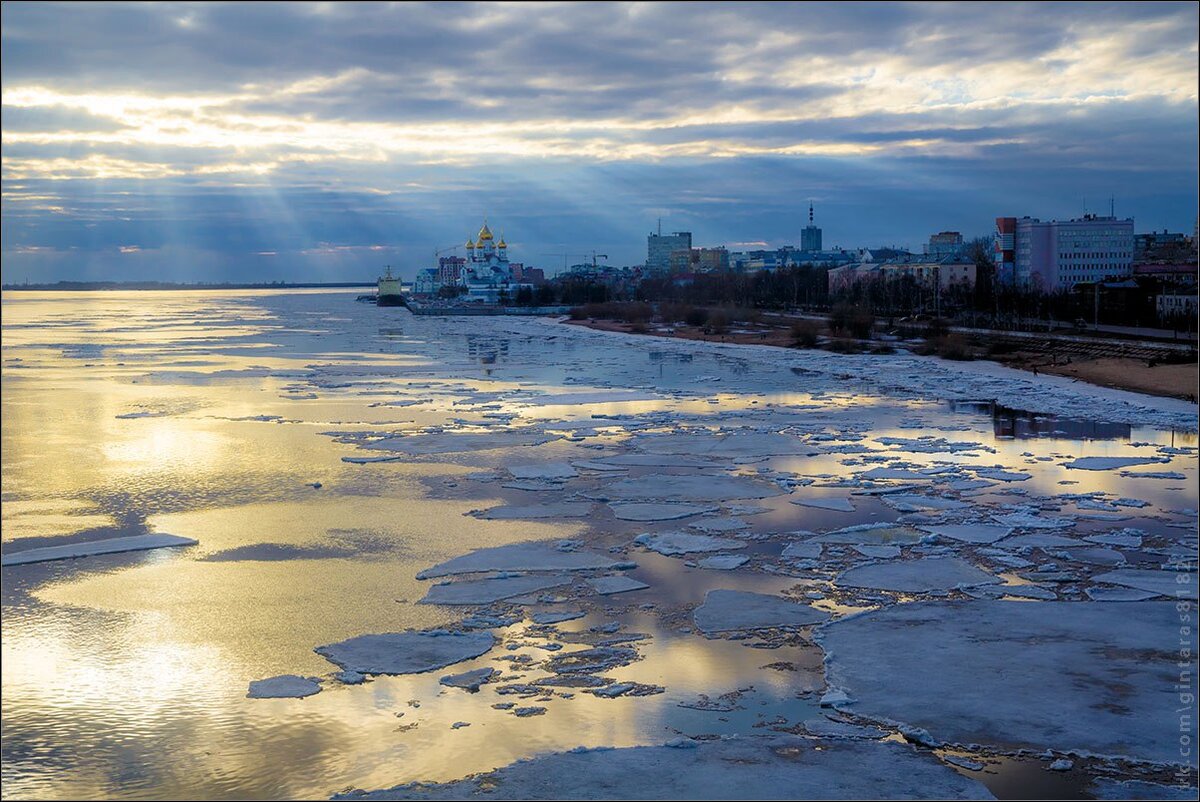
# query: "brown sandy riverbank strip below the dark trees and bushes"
(1173, 381)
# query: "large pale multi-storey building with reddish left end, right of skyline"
(1058, 255)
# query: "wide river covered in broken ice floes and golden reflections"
(655, 568)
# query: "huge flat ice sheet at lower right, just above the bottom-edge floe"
(976, 697)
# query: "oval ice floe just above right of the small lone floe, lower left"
(406, 653)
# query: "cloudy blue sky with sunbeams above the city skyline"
(322, 141)
